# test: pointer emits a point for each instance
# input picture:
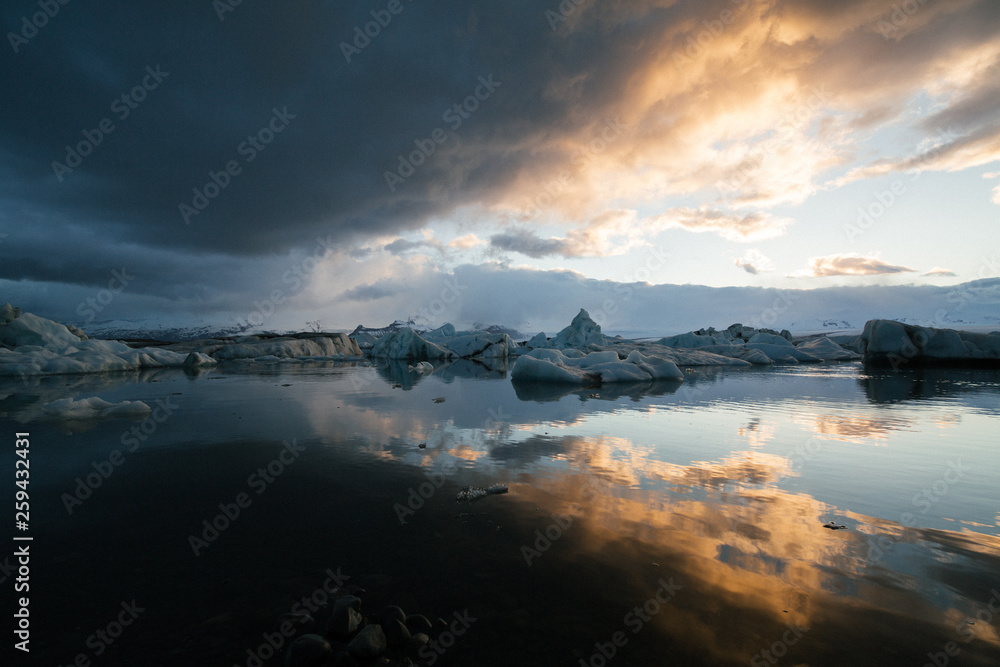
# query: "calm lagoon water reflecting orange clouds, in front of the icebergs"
(662, 524)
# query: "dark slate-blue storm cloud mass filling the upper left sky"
(202, 94)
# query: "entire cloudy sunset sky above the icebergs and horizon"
(478, 162)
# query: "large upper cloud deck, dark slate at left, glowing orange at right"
(288, 141)
